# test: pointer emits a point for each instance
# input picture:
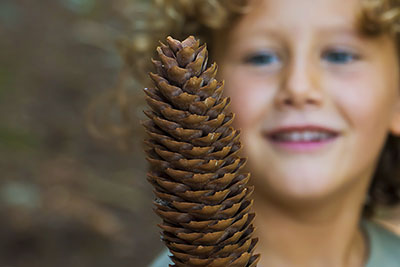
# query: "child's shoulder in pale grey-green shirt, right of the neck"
(384, 245)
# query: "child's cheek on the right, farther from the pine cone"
(365, 103)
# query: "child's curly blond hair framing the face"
(201, 18)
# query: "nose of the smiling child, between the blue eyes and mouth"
(299, 86)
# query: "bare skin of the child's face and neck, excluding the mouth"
(282, 65)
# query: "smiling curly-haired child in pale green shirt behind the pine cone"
(315, 85)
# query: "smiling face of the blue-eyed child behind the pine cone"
(296, 63)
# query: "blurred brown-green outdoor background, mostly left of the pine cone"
(66, 198)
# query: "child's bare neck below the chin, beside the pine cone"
(327, 234)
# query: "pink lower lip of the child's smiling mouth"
(302, 146)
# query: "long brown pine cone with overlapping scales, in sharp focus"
(201, 195)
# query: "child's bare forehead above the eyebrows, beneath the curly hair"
(300, 15)
